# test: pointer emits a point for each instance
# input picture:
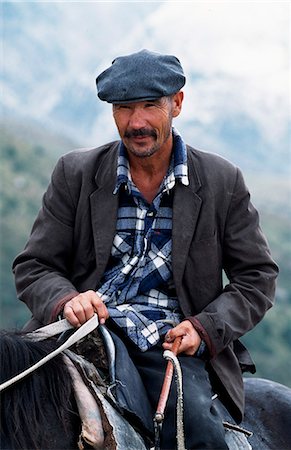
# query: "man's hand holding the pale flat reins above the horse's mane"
(82, 307)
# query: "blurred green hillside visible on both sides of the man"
(27, 159)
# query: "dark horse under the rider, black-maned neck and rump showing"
(40, 411)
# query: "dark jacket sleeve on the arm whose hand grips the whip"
(251, 273)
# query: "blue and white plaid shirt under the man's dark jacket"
(137, 286)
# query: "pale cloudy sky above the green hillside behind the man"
(236, 56)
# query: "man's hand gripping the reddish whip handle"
(190, 338)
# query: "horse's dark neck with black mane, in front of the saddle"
(40, 411)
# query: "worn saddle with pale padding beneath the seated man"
(113, 405)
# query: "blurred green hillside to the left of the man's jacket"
(28, 156)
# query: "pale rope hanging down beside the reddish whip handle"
(170, 356)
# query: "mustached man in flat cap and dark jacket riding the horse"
(140, 231)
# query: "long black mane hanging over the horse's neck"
(24, 406)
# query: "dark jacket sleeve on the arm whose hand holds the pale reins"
(42, 270)
